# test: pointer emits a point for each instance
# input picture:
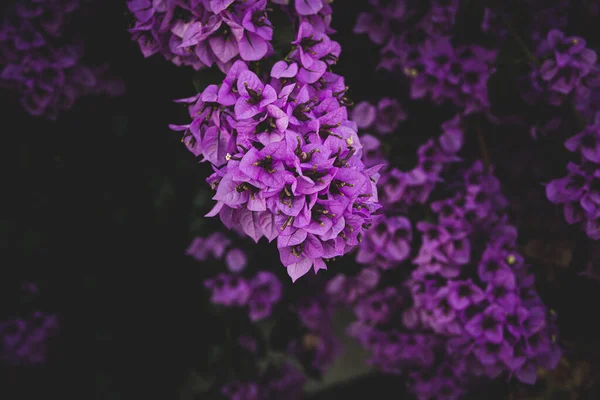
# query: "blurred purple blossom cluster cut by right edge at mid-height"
(579, 191)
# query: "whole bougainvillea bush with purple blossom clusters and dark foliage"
(415, 181)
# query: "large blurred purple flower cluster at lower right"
(487, 305)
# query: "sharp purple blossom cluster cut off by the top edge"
(202, 33)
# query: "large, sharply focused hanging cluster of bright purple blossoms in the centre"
(286, 156)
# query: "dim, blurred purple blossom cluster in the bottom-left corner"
(24, 341)
